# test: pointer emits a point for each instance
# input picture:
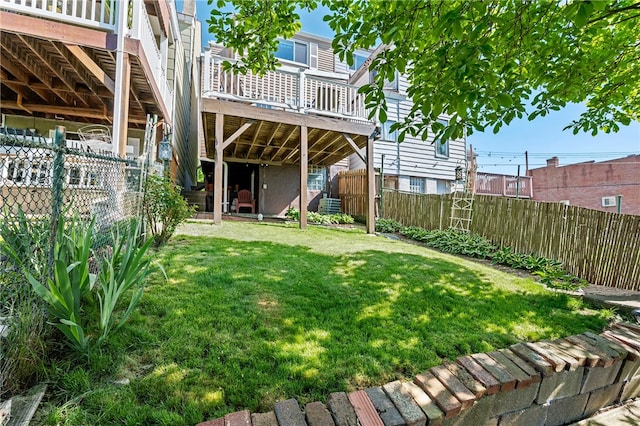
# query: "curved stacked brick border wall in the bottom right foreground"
(543, 383)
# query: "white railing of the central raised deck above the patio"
(295, 91)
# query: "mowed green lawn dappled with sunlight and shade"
(255, 313)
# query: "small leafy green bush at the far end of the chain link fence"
(164, 208)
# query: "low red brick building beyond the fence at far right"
(592, 185)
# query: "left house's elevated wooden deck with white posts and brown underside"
(106, 63)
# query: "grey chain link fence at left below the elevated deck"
(42, 181)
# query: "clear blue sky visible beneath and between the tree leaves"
(502, 153)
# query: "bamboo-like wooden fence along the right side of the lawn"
(601, 247)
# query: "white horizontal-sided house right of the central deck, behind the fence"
(426, 167)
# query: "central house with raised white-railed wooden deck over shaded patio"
(279, 134)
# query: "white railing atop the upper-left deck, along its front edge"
(89, 13)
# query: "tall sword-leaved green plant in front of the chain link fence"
(68, 293)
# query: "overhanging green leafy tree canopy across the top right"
(483, 63)
